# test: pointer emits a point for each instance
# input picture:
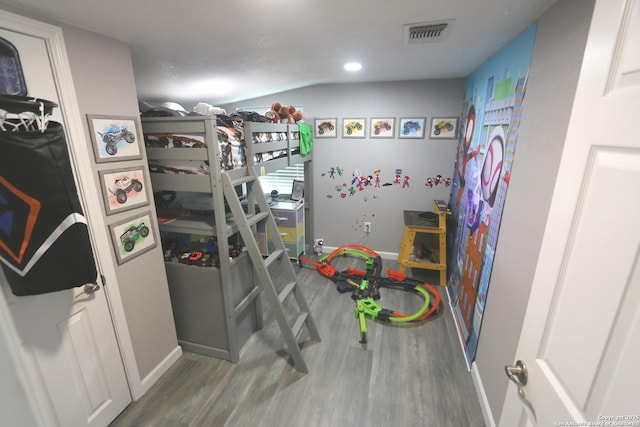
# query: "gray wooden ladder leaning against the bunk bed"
(277, 287)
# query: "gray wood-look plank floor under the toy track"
(412, 375)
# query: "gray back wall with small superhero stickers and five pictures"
(339, 221)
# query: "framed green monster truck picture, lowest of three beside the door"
(132, 237)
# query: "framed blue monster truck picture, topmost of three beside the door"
(115, 138)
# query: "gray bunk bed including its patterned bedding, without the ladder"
(214, 298)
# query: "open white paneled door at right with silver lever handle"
(581, 337)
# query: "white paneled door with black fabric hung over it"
(68, 339)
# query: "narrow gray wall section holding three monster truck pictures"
(103, 78)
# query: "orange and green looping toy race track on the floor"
(364, 287)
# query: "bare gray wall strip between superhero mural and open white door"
(553, 76)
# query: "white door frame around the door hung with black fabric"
(81, 160)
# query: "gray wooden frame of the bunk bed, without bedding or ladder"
(215, 309)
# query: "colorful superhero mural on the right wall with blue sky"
(493, 106)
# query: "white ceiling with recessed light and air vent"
(219, 52)
